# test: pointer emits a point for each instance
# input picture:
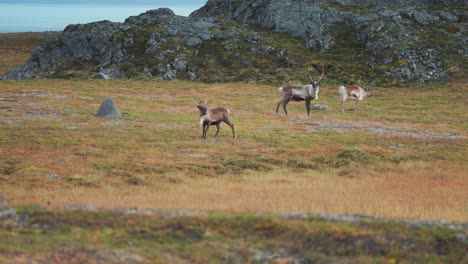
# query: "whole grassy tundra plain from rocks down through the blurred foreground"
(402, 155)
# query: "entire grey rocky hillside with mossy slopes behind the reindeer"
(266, 42)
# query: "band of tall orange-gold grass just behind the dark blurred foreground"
(424, 194)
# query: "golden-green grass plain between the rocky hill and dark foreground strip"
(153, 156)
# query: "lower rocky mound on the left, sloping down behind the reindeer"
(157, 44)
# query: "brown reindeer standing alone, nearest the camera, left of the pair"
(213, 116)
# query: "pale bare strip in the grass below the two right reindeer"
(381, 129)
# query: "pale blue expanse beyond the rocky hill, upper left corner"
(45, 15)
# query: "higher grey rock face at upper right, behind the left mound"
(403, 38)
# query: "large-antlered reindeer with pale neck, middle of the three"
(305, 93)
